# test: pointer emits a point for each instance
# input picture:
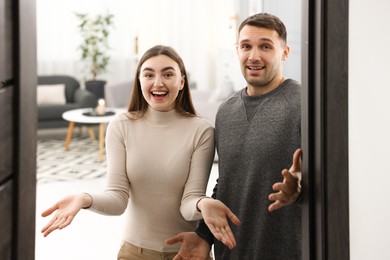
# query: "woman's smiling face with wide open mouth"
(161, 80)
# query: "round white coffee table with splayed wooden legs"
(86, 116)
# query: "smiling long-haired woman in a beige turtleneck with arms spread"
(159, 157)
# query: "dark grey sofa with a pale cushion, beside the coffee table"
(57, 94)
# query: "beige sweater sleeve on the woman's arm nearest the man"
(199, 172)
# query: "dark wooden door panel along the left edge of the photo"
(17, 129)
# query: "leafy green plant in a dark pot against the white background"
(94, 48)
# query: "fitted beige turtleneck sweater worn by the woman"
(157, 169)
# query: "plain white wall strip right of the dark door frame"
(369, 129)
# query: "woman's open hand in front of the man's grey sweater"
(216, 214)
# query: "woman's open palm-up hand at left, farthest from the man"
(65, 211)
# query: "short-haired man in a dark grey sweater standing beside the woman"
(257, 134)
